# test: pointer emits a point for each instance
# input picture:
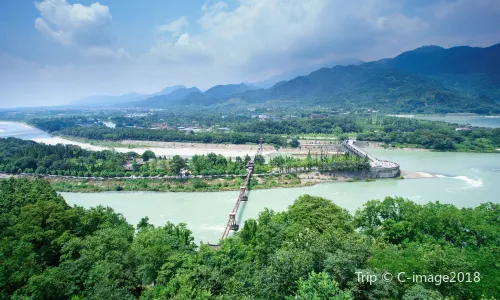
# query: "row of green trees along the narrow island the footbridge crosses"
(20, 156)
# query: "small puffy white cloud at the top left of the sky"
(86, 27)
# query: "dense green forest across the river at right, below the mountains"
(390, 130)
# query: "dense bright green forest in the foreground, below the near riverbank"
(313, 250)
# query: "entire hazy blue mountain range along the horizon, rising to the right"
(429, 79)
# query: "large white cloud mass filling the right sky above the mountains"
(258, 37)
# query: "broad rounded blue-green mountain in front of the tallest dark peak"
(370, 86)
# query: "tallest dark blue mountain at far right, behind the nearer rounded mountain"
(471, 71)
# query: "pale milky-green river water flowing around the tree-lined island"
(462, 179)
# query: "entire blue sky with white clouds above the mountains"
(56, 51)
